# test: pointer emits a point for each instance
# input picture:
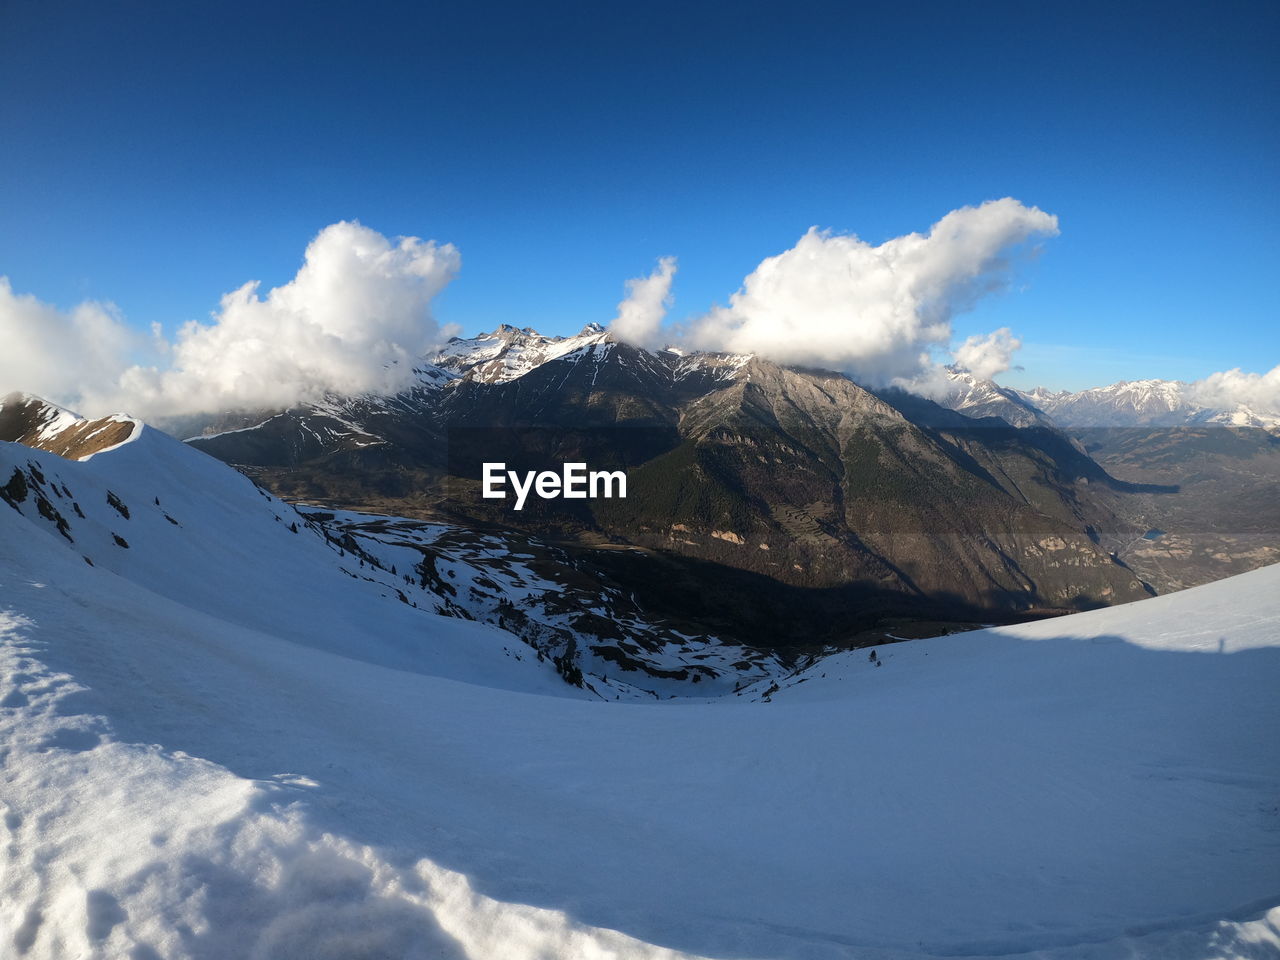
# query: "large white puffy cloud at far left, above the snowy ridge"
(353, 321)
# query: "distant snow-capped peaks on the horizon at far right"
(1142, 404)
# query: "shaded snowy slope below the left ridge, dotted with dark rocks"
(185, 527)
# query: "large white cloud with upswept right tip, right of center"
(877, 312)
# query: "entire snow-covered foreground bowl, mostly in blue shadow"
(226, 742)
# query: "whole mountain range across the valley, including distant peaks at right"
(758, 487)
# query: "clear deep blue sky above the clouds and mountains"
(158, 156)
